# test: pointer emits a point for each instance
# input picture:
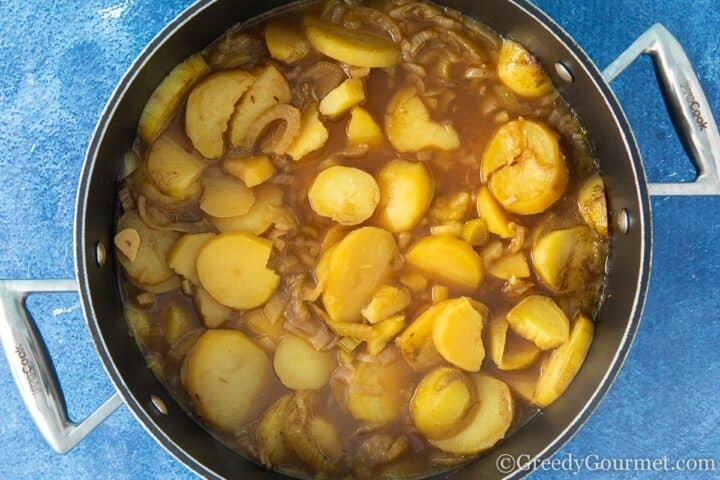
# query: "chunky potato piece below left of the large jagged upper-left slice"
(173, 170)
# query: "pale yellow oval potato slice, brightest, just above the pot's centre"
(347, 195)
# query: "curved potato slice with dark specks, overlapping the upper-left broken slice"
(270, 88)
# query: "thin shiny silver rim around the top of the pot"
(643, 222)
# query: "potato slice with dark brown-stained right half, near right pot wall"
(565, 260)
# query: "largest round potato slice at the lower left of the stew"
(226, 375)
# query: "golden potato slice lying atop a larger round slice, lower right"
(442, 402)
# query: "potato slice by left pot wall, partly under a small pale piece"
(149, 266)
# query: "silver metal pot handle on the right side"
(687, 104)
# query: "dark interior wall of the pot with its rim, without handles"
(204, 22)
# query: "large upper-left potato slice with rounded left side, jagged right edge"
(209, 108)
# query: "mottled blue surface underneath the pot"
(59, 62)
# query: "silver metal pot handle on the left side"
(32, 368)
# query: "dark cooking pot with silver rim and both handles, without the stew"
(579, 81)
